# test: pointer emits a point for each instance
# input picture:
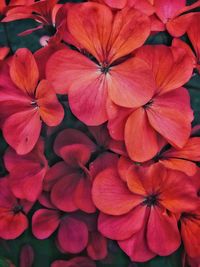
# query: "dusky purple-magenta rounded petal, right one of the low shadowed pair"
(72, 235)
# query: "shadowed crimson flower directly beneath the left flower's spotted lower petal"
(26, 173)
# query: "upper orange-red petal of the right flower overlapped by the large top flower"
(172, 67)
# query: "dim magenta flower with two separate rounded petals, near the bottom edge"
(72, 236)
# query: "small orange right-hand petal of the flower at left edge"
(51, 111)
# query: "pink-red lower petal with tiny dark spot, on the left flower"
(26, 127)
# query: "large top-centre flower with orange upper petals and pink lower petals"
(108, 39)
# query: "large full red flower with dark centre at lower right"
(141, 213)
